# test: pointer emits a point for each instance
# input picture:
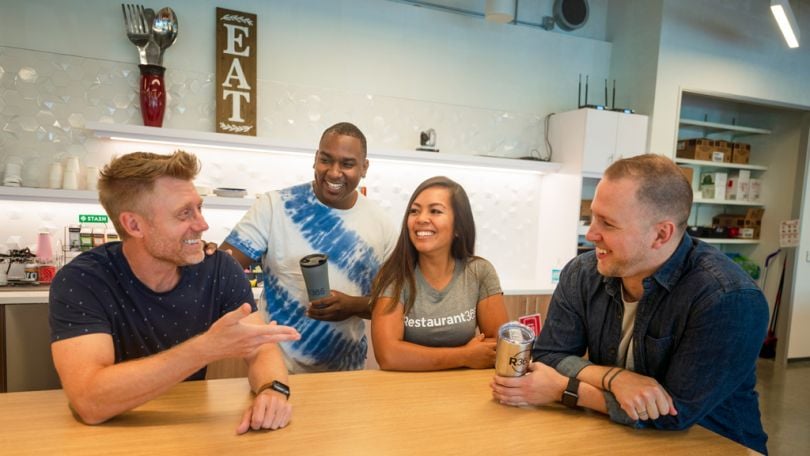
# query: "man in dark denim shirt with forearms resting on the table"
(671, 326)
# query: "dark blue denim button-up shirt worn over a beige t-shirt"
(699, 327)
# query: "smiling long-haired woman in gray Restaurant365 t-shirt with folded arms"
(432, 293)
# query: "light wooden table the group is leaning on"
(360, 412)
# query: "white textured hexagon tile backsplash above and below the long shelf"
(46, 99)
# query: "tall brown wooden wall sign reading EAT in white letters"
(236, 72)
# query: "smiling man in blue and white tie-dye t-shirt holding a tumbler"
(327, 215)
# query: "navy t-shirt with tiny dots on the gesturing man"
(98, 293)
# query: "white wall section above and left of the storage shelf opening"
(729, 47)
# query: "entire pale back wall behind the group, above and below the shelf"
(391, 68)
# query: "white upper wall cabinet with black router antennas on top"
(597, 137)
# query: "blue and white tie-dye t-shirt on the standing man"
(285, 225)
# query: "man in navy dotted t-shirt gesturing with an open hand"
(130, 319)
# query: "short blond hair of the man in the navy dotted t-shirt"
(126, 182)
